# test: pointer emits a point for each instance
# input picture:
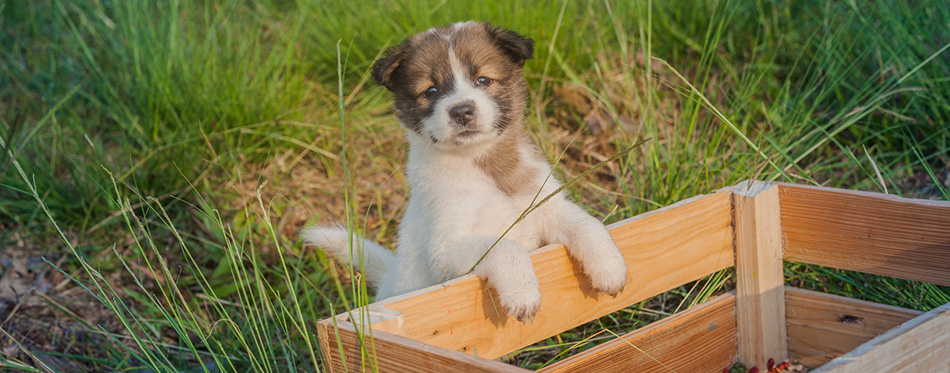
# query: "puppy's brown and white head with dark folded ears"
(457, 85)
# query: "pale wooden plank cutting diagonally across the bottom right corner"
(919, 345)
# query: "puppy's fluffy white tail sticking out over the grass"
(376, 260)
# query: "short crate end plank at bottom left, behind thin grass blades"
(392, 353)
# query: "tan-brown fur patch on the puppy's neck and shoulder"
(504, 163)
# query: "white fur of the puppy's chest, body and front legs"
(456, 212)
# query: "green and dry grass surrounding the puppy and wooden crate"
(167, 152)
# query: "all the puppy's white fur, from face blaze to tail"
(456, 213)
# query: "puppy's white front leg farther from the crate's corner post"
(507, 269)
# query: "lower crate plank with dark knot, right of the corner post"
(822, 327)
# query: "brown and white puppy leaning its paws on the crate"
(459, 92)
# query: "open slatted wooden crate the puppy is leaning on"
(456, 327)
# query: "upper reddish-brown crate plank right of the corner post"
(867, 232)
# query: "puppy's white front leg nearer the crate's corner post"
(588, 241)
